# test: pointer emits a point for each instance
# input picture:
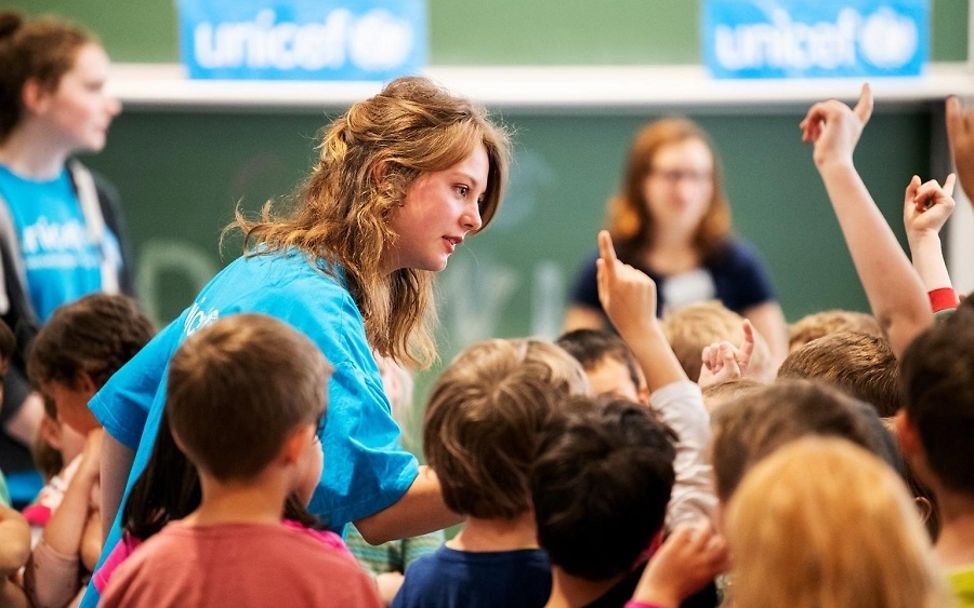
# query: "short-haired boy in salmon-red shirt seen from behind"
(243, 401)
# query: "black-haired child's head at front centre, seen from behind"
(600, 484)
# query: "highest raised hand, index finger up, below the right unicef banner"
(834, 128)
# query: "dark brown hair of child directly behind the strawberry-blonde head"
(750, 428)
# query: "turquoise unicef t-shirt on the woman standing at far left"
(61, 260)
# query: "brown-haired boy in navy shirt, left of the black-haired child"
(480, 433)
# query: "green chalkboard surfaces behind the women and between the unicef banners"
(181, 171)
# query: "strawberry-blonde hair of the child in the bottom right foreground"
(822, 523)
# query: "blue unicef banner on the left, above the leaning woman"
(302, 39)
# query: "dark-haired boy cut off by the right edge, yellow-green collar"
(935, 429)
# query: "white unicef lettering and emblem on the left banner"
(375, 40)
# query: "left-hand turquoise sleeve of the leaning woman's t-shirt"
(122, 405)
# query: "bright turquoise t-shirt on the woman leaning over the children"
(366, 469)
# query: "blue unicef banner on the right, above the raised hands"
(810, 39)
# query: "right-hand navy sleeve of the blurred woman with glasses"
(741, 278)
